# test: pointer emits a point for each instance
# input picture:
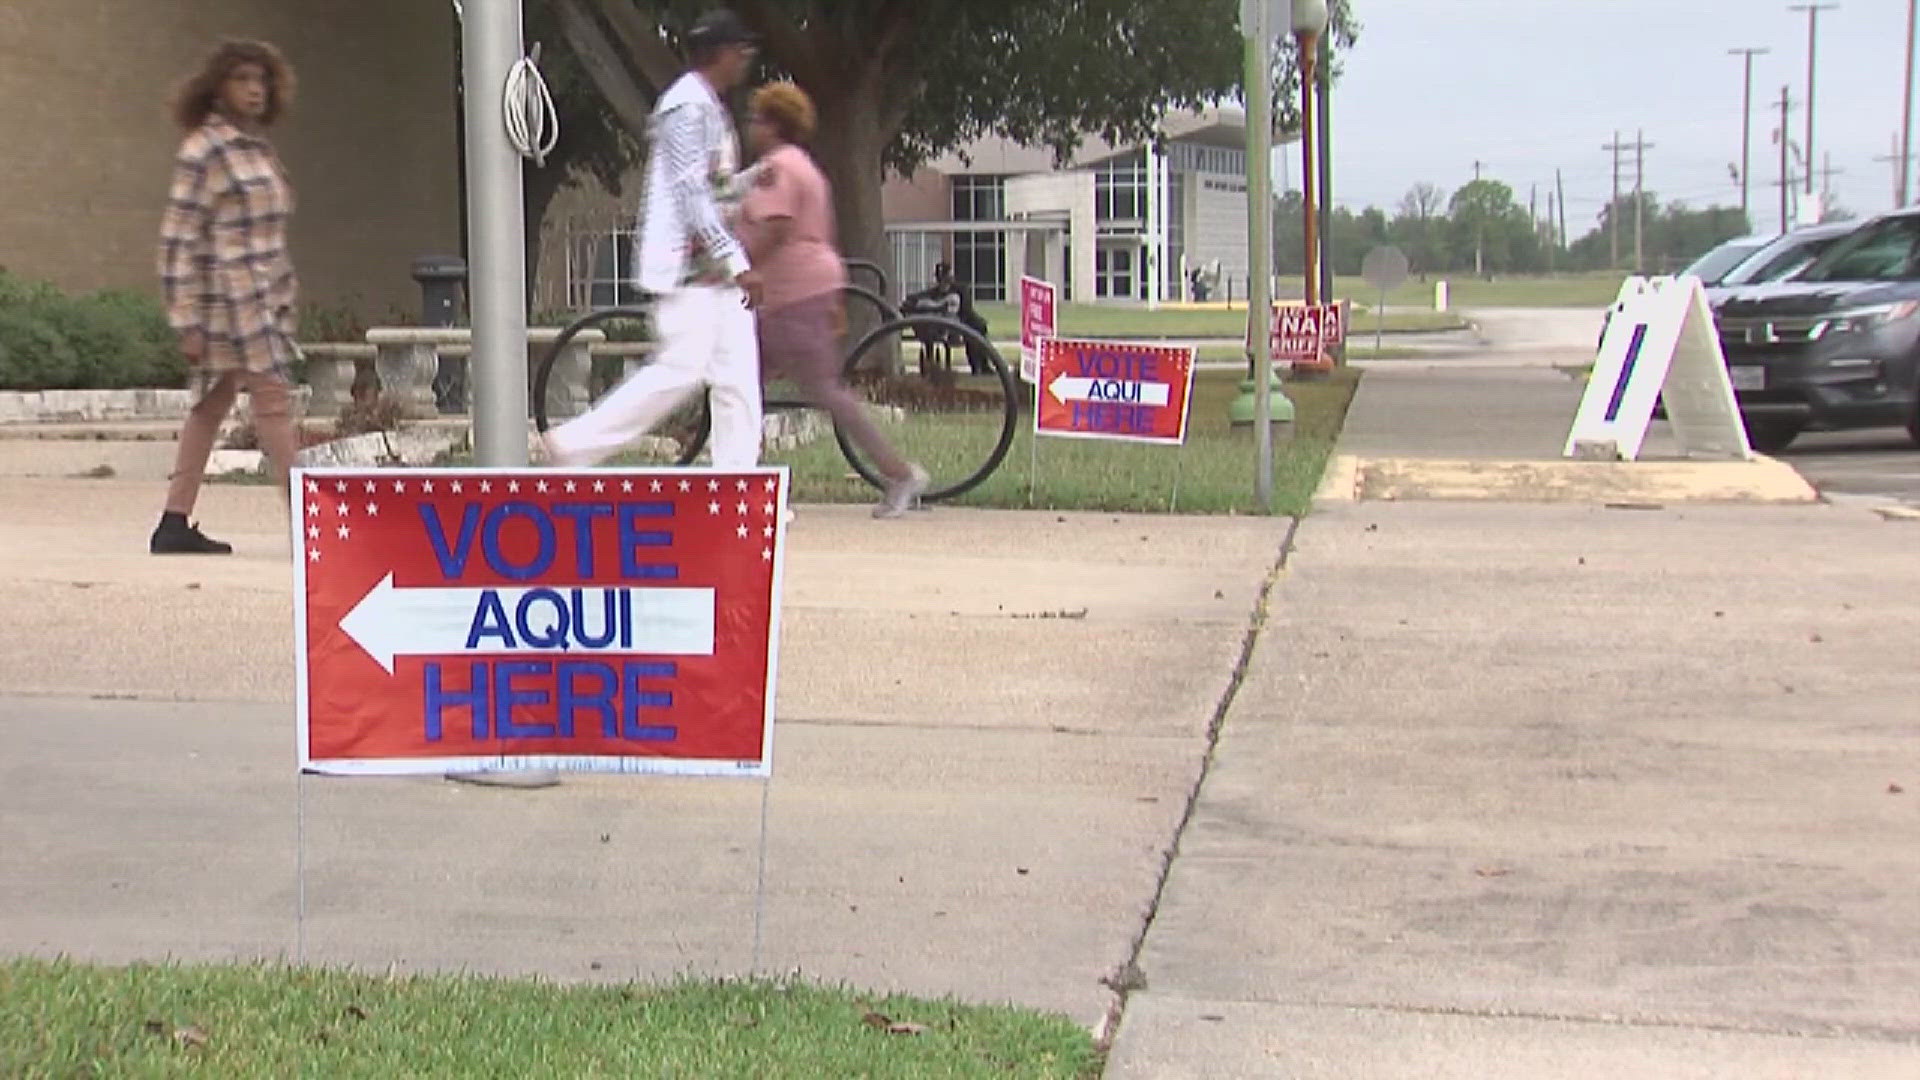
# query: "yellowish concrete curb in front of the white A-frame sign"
(1760, 481)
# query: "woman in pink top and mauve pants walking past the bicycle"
(788, 226)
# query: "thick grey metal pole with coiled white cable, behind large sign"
(496, 237)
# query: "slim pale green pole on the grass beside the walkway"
(1260, 237)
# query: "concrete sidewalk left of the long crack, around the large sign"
(980, 766)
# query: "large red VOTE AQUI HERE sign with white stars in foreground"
(610, 620)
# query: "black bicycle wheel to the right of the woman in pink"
(946, 435)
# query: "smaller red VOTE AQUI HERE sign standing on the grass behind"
(1126, 391)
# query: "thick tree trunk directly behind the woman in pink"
(850, 147)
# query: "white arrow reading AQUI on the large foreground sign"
(441, 622)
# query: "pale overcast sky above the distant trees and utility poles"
(1533, 86)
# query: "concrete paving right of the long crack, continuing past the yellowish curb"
(1552, 789)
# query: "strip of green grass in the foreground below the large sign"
(64, 1019)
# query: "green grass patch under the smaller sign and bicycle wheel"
(1212, 474)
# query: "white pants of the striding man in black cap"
(708, 339)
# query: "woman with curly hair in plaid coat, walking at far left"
(226, 270)
